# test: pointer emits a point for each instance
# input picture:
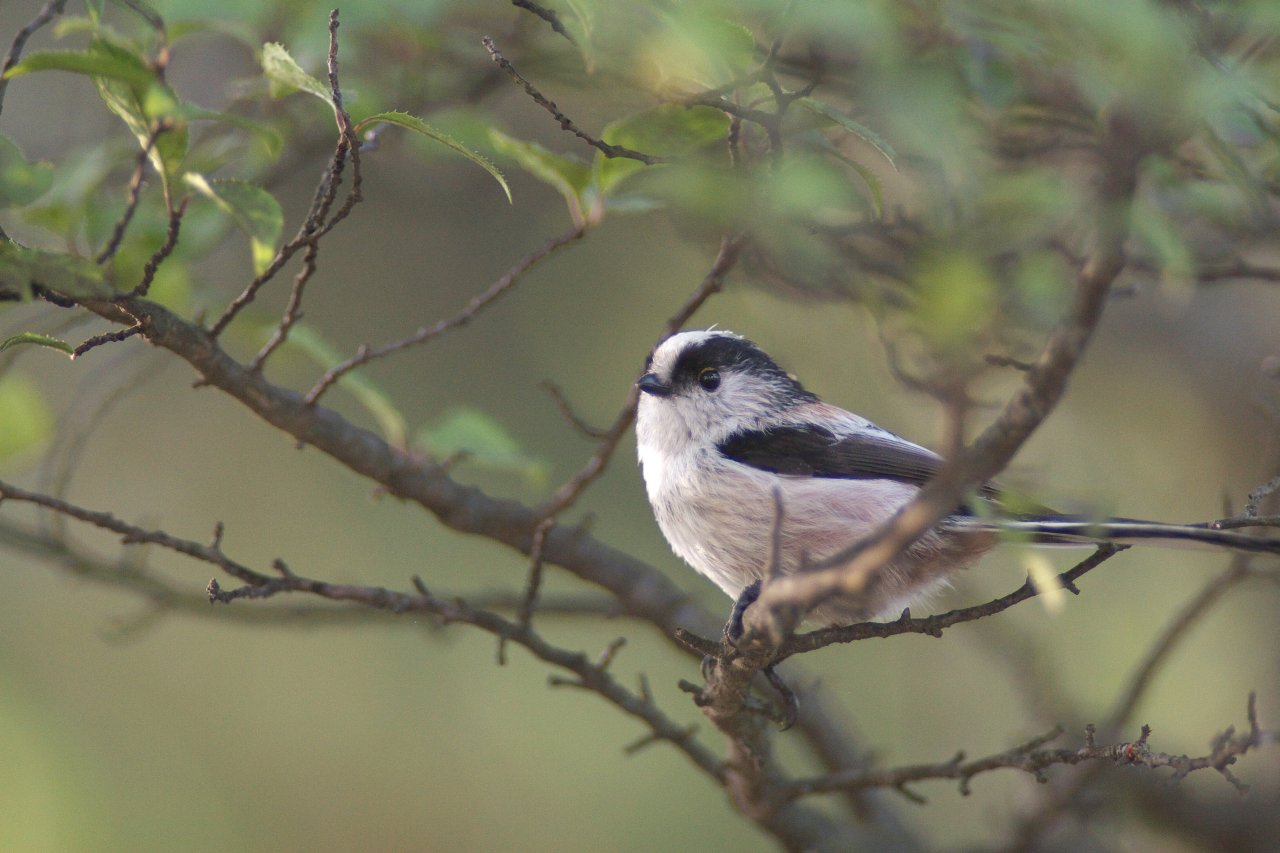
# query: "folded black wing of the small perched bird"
(812, 451)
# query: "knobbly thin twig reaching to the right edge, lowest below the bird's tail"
(1032, 759)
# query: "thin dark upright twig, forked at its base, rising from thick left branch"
(318, 222)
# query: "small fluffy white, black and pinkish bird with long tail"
(725, 437)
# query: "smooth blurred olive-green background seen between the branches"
(129, 727)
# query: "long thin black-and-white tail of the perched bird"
(1066, 531)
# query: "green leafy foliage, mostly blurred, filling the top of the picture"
(927, 161)
